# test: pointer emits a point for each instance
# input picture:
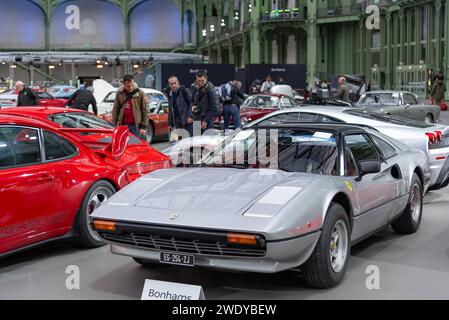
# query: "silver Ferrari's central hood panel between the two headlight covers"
(211, 190)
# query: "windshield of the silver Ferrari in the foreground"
(291, 150)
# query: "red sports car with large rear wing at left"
(56, 167)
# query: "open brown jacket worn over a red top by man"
(140, 107)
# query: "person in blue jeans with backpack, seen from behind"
(232, 98)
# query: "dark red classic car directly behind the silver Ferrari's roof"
(259, 105)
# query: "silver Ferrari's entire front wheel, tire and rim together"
(327, 265)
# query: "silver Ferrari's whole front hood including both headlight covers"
(210, 191)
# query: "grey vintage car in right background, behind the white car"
(400, 103)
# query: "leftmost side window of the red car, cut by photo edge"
(18, 147)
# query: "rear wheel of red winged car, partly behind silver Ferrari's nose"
(86, 237)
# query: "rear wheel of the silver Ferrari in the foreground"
(410, 220)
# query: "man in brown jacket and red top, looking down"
(131, 107)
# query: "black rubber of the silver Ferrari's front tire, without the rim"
(318, 271)
